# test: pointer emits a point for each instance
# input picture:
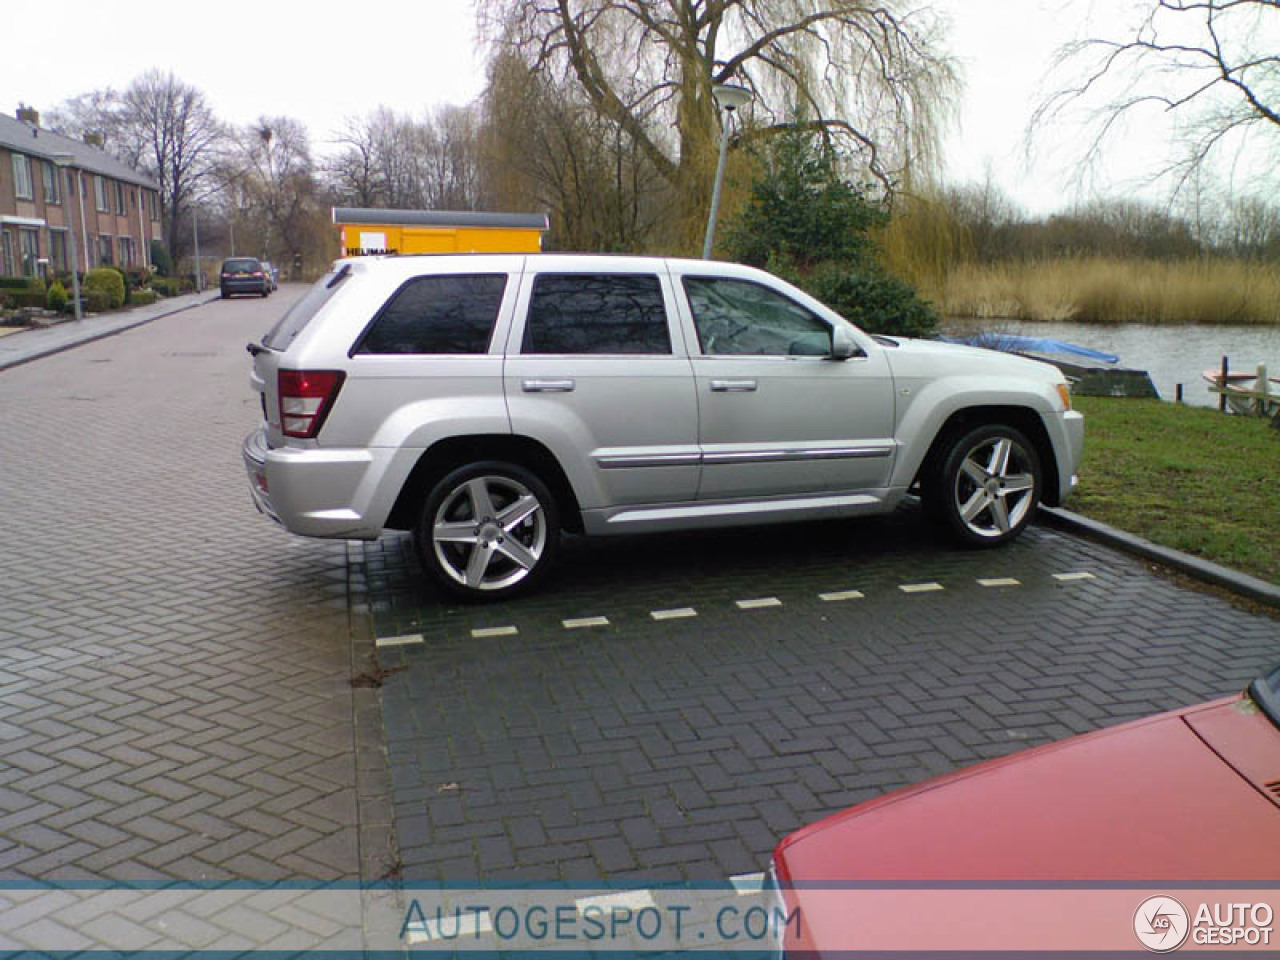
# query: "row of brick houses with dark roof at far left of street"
(56, 191)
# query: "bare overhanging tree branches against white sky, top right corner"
(1209, 66)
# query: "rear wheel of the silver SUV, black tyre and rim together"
(488, 531)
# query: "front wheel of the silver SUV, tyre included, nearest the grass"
(986, 487)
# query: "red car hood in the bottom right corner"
(1192, 796)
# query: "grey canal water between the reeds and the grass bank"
(1172, 355)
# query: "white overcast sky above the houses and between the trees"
(322, 62)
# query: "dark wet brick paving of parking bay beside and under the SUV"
(644, 749)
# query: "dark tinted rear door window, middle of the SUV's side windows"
(597, 314)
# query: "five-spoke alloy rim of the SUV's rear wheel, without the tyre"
(490, 533)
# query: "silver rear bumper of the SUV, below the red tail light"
(327, 493)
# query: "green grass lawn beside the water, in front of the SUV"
(1188, 478)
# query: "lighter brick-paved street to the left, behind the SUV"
(175, 670)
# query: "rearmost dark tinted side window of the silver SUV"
(437, 316)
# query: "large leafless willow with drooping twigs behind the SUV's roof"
(870, 76)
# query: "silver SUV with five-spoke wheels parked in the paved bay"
(488, 403)
